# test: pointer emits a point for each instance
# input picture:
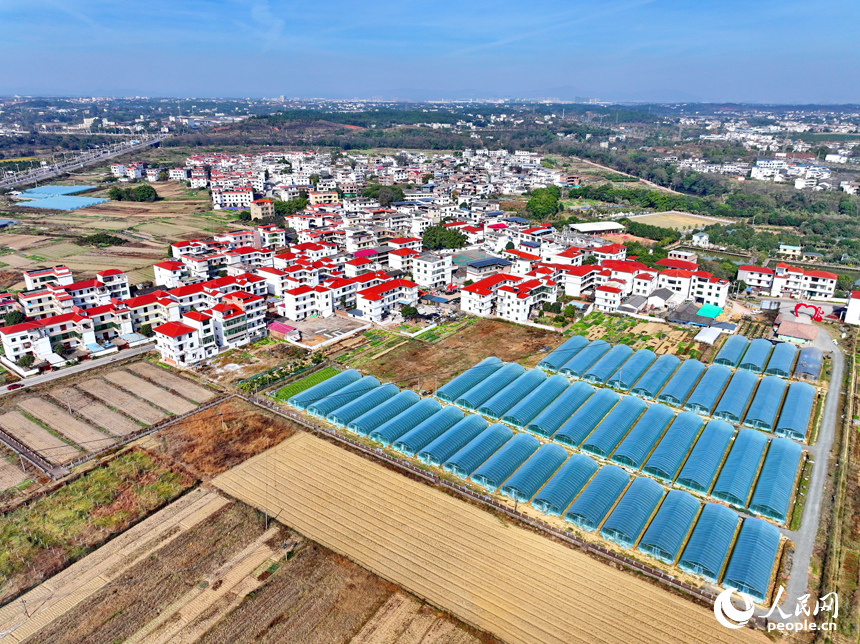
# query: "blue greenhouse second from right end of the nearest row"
(709, 543)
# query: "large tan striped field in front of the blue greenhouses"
(515, 584)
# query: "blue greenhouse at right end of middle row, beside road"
(775, 485)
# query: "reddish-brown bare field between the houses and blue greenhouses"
(455, 354)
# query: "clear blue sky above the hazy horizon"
(755, 50)
